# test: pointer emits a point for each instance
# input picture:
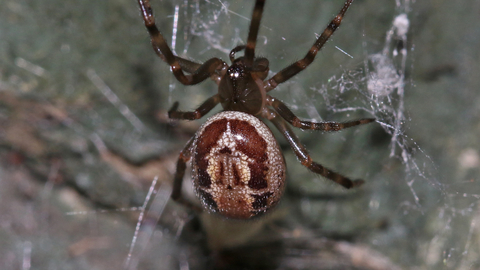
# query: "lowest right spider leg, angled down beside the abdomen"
(302, 153)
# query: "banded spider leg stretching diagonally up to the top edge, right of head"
(300, 65)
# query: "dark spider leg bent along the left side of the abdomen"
(183, 158)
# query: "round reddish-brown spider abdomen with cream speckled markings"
(238, 168)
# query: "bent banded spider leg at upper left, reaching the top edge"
(198, 72)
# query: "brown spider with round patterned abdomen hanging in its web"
(238, 169)
